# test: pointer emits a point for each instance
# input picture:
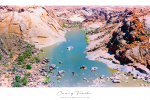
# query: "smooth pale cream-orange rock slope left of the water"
(35, 23)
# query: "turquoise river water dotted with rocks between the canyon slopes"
(72, 60)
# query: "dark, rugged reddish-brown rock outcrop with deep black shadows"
(131, 43)
